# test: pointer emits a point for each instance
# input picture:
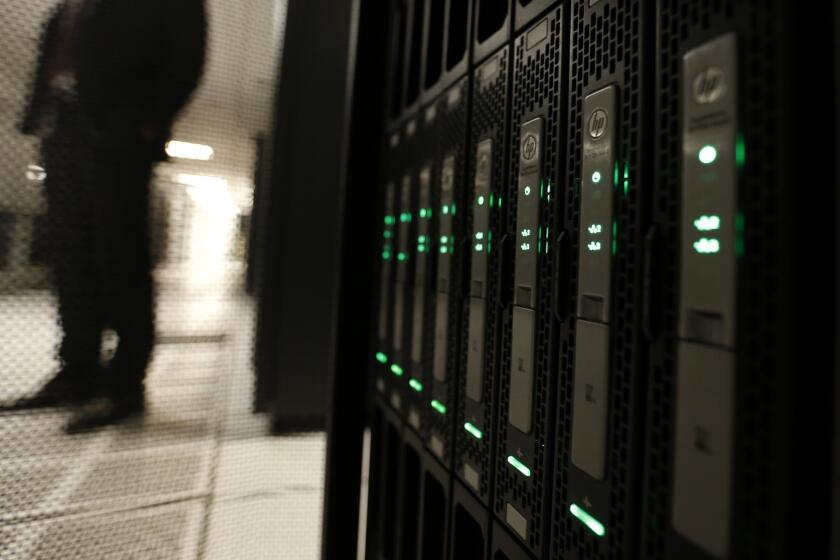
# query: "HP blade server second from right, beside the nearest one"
(602, 377)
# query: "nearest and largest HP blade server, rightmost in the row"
(727, 471)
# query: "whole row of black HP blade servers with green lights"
(583, 340)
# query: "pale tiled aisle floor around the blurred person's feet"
(198, 477)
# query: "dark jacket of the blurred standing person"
(137, 63)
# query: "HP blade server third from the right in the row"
(525, 413)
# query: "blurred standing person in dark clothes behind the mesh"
(110, 79)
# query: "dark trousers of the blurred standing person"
(97, 192)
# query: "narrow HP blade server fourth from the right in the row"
(475, 432)
